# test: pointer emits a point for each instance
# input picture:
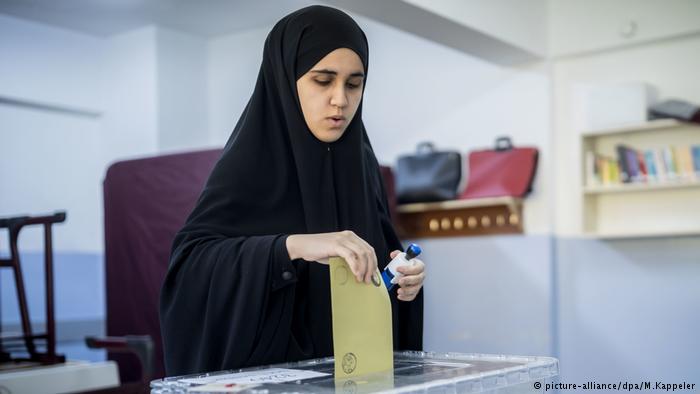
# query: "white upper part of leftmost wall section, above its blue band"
(49, 158)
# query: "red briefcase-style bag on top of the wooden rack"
(503, 171)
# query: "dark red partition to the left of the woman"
(146, 201)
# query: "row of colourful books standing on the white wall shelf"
(670, 163)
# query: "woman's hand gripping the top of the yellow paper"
(357, 253)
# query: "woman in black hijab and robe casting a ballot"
(297, 183)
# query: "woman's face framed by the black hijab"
(330, 93)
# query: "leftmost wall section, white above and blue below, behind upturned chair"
(52, 159)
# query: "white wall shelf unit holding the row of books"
(640, 210)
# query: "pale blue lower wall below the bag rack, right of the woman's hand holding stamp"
(491, 294)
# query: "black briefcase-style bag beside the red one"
(428, 175)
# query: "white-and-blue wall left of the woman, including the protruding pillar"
(70, 105)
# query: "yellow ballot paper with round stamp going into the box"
(362, 330)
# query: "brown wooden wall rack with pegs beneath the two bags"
(496, 215)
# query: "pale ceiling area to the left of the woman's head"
(108, 17)
